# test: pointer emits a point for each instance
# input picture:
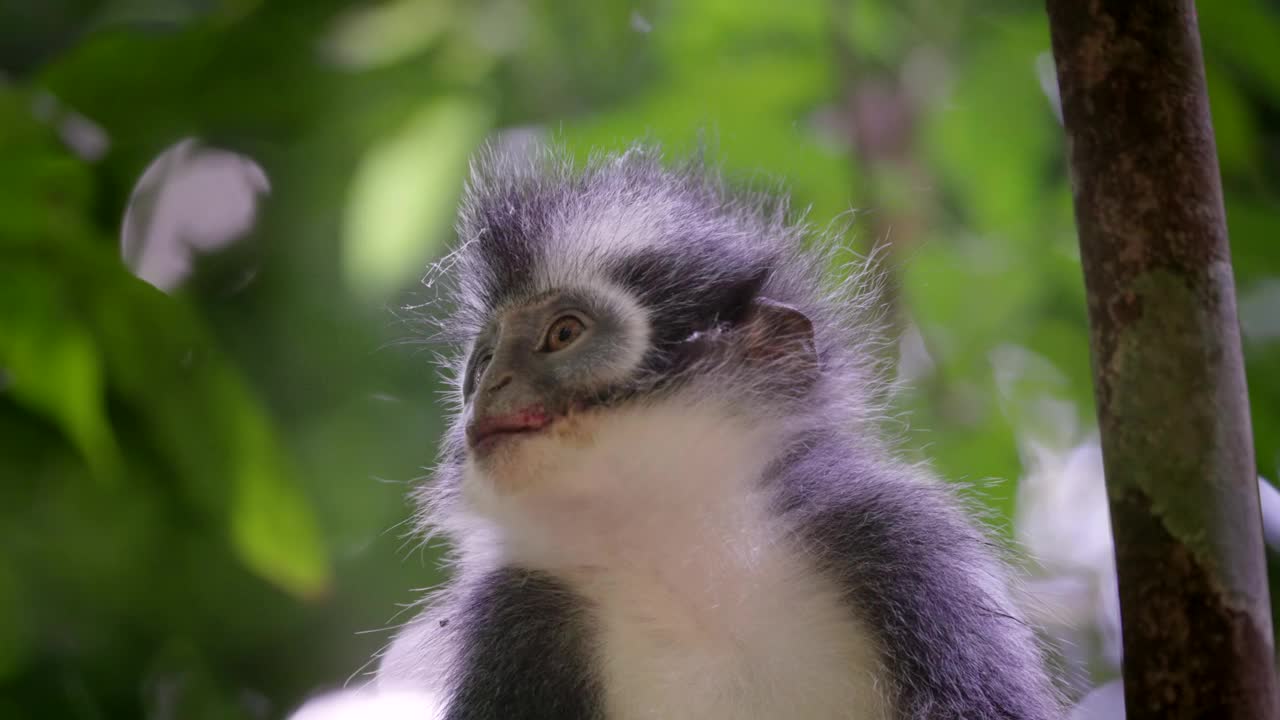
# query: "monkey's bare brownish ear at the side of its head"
(781, 336)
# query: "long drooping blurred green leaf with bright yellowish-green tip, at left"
(208, 425)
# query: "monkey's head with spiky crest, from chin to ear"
(593, 308)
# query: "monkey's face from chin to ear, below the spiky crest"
(574, 377)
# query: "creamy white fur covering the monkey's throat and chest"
(707, 609)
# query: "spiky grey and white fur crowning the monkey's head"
(675, 244)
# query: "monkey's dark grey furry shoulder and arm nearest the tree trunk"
(931, 584)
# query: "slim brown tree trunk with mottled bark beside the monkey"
(1169, 376)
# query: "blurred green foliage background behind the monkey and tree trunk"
(214, 215)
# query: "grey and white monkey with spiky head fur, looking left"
(668, 482)
